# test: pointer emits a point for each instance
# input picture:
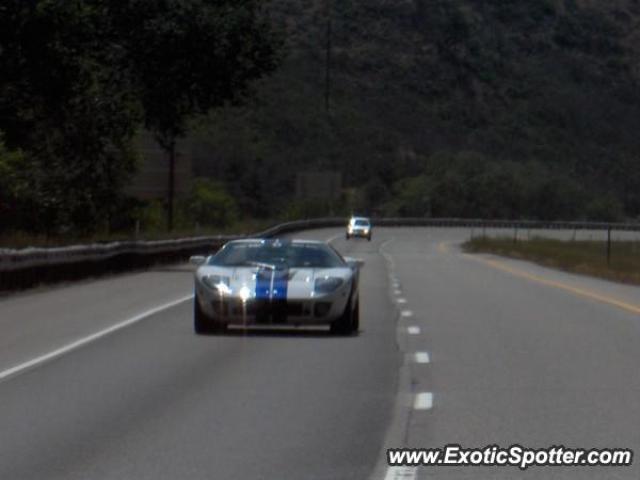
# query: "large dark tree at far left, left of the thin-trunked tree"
(67, 104)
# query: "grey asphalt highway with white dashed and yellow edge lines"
(104, 379)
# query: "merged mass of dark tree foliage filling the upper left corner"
(79, 78)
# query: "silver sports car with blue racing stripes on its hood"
(276, 282)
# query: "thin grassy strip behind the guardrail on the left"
(22, 240)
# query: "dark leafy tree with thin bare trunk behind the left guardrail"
(189, 56)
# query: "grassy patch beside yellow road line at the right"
(582, 256)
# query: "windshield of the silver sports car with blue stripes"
(280, 254)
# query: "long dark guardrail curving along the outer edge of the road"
(27, 267)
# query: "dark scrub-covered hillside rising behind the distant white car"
(446, 107)
